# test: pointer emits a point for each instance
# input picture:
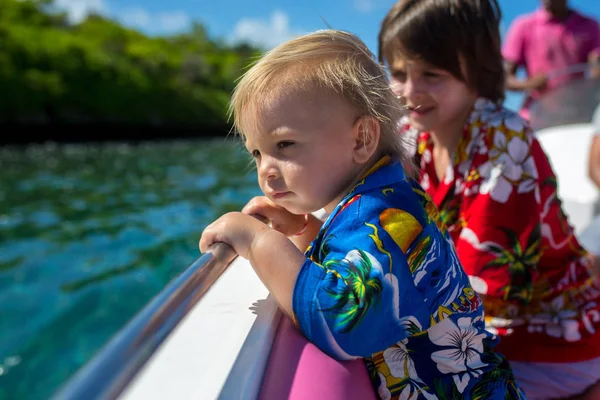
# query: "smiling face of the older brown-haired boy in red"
(435, 99)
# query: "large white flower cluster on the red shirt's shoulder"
(510, 165)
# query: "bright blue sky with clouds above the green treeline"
(269, 22)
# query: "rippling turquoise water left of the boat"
(88, 234)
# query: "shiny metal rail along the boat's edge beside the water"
(118, 362)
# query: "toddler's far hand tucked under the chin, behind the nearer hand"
(280, 218)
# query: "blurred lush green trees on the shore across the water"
(99, 71)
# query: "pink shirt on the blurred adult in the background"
(543, 44)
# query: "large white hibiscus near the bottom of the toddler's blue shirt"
(463, 347)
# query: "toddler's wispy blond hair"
(331, 60)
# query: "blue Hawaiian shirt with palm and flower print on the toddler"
(382, 282)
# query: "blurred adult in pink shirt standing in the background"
(552, 38)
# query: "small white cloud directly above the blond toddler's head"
(264, 33)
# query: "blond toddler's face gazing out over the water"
(303, 145)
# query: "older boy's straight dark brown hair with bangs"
(446, 34)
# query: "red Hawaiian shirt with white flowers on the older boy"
(499, 201)
